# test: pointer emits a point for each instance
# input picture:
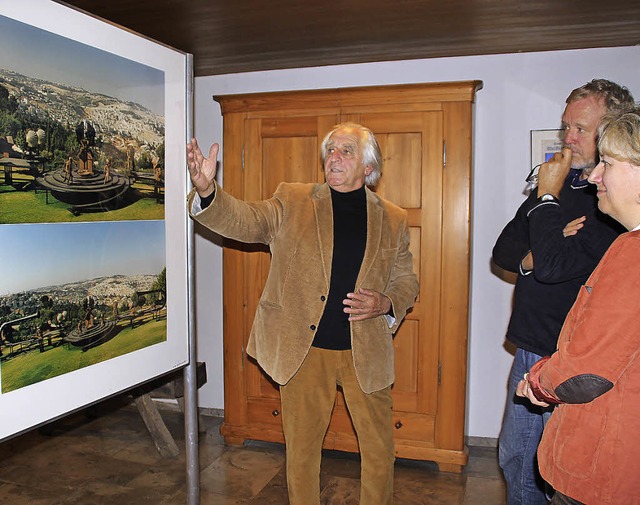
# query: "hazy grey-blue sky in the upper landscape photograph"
(43, 55)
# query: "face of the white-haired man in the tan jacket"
(343, 167)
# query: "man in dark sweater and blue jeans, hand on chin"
(552, 263)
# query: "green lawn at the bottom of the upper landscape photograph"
(29, 207)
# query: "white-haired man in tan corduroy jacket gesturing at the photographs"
(340, 282)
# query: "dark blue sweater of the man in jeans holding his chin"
(543, 297)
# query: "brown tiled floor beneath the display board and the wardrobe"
(109, 458)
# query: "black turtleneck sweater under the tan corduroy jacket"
(349, 242)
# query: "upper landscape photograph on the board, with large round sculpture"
(82, 131)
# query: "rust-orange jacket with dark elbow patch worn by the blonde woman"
(590, 448)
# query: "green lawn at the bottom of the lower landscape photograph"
(35, 366)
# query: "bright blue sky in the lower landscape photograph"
(41, 255)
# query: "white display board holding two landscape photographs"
(93, 229)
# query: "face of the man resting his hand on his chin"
(580, 123)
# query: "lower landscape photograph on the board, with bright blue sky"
(73, 295)
